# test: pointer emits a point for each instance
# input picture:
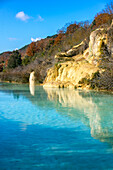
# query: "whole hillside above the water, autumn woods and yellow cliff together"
(79, 45)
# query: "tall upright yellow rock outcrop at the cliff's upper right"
(101, 45)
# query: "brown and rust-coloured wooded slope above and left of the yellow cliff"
(39, 55)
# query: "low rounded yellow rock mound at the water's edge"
(70, 74)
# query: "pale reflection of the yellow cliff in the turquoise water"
(93, 110)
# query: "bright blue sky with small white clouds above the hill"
(22, 21)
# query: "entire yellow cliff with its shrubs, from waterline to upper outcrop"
(87, 65)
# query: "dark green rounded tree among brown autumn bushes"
(14, 60)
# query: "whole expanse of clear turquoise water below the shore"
(55, 128)
